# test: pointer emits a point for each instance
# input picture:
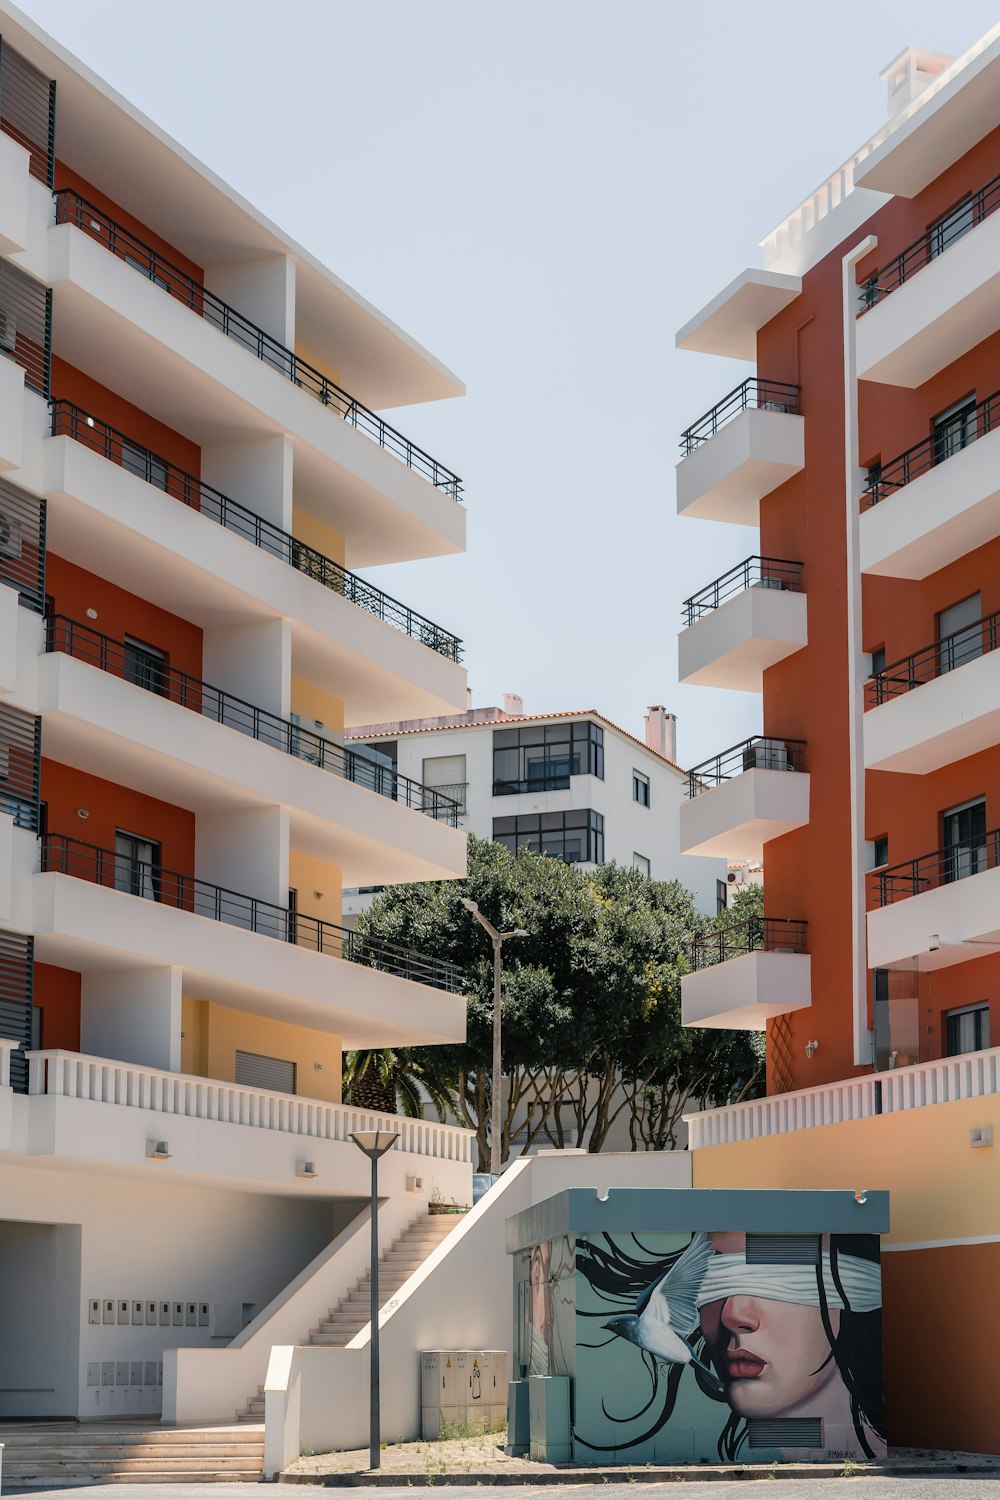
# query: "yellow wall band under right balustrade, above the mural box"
(941, 1187)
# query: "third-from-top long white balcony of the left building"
(115, 730)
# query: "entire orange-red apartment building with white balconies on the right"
(866, 449)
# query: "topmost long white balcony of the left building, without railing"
(122, 329)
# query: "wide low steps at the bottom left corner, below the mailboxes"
(55, 1456)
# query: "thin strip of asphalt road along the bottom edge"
(960, 1487)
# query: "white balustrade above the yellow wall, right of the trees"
(971, 1076)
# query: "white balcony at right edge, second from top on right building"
(941, 515)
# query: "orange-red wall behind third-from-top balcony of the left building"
(73, 592)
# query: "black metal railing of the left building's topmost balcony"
(122, 244)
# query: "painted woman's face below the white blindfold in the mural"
(774, 1357)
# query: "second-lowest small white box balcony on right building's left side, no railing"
(738, 818)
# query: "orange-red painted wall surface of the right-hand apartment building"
(809, 872)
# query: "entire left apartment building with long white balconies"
(193, 469)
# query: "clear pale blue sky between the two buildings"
(542, 193)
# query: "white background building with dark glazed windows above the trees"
(570, 785)
